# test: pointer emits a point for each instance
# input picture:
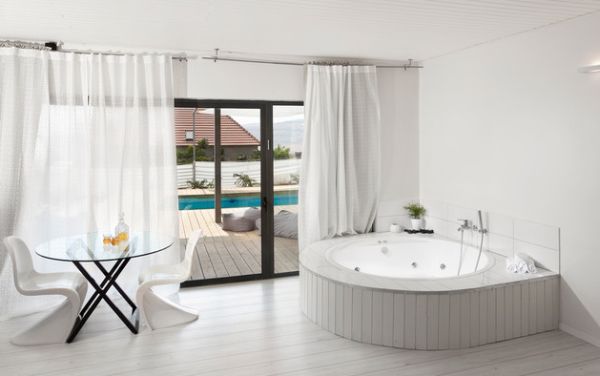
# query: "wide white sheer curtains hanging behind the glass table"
(89, 136)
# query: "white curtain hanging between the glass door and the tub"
(339, 181)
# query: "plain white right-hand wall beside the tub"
(512, 127)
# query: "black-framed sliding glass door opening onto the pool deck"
(238, 188)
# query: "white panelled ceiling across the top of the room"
(376, 29)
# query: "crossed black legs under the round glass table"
(110, 280)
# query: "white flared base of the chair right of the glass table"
(162, 313)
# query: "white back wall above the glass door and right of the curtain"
(398, 92)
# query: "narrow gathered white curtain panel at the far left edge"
(23, 91)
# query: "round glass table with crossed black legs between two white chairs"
(89, 248)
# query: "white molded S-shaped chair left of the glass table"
(56, 325)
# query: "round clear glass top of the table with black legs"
(89, 247)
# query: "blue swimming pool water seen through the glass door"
(193, 203)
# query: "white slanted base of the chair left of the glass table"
(55, 327)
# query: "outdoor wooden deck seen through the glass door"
(222, 254)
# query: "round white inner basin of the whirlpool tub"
(408, 257)
